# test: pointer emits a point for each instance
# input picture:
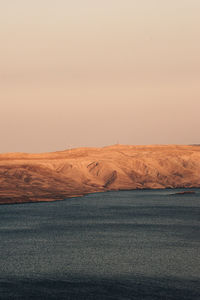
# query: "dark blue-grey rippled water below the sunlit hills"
(115, 245)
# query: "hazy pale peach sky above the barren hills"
(93, 73)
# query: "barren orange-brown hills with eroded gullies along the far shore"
(54, 176)
